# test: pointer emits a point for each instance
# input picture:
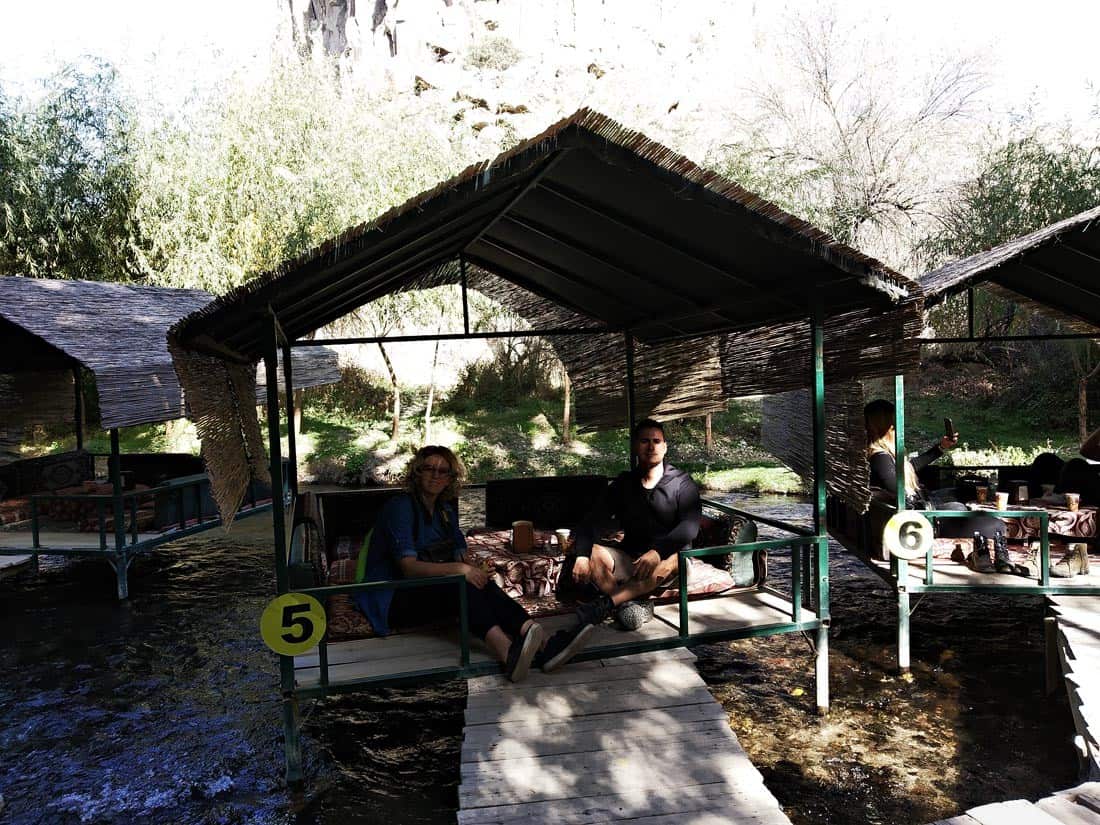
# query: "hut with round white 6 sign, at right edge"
(1054, 272)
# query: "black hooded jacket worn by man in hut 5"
(666, 518)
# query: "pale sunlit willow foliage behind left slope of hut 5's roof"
(259, 174)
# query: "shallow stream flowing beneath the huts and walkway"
(166, 709)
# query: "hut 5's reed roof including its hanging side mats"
(591, 226)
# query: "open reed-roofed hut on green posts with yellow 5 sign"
(656, 283)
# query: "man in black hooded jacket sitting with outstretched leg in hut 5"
(659, 509)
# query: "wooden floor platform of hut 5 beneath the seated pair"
(351, 662)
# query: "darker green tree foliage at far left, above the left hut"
(69, 189)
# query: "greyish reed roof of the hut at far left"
(117, 332)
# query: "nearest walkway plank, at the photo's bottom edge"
(612, 808)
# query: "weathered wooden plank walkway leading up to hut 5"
(635, 739)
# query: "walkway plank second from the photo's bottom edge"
(556, 778)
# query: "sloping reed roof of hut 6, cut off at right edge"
(1055, 270)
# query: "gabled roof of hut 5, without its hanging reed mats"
(590, 215)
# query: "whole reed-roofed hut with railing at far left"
(62, 338)
